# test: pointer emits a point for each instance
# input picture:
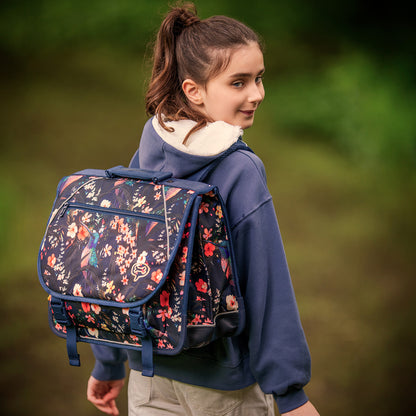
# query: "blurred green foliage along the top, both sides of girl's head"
(352, 97)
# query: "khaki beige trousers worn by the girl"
(159, 396)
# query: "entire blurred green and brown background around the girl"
(337, 134)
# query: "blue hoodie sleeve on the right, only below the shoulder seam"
(279, 356)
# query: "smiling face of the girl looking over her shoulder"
(234, 95)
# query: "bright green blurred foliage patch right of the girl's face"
(363, 108)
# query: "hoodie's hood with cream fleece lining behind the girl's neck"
(161, 150)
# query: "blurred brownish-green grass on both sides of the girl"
(348, 235)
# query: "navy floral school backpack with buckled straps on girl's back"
(137, 259)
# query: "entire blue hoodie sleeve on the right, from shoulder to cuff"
(279, 355)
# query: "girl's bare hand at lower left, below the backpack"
(103, 394)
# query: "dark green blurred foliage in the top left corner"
(35, 26)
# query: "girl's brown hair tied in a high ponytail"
(187, 47)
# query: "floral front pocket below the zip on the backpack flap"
(104, 253)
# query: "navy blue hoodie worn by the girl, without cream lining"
(272, 350)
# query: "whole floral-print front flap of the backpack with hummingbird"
(107, 239)
